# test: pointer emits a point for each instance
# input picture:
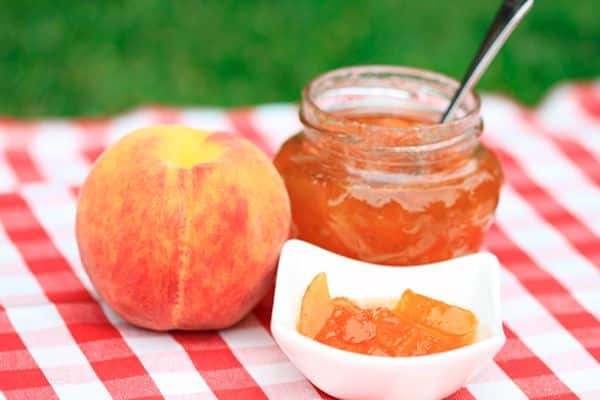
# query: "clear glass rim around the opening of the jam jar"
(313, 115)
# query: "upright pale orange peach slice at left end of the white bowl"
(316, 307)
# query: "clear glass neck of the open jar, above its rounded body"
(332, 103)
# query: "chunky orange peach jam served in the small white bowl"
(417, 325)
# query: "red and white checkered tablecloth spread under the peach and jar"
(58, 340)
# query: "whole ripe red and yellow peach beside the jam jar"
(181, 229)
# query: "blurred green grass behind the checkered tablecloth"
(64, 57)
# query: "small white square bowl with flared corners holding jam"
(472, 282)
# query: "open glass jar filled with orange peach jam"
(375, 177)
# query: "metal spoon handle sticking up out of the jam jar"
(509, 15)
